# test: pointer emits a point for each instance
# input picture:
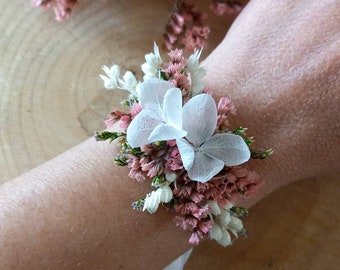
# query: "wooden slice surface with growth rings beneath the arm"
(52, 99)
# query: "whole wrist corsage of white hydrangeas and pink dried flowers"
(176, 135)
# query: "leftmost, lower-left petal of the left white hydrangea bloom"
(141, 127)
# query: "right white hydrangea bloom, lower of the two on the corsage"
(203, 154)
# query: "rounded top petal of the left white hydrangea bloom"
(152, 92)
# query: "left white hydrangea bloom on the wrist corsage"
(161, 115)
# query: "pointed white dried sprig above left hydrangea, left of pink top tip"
(152, 65)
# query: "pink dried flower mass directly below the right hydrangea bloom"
(191, 203)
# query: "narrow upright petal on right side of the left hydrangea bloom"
(172, 107)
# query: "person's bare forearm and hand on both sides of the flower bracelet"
(279, 64)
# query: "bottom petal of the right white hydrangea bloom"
(204, 167)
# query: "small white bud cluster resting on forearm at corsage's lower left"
(162, 195)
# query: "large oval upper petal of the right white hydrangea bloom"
(199, 118)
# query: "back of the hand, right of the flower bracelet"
(280, 65)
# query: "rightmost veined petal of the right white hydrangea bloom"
(229, 148)
